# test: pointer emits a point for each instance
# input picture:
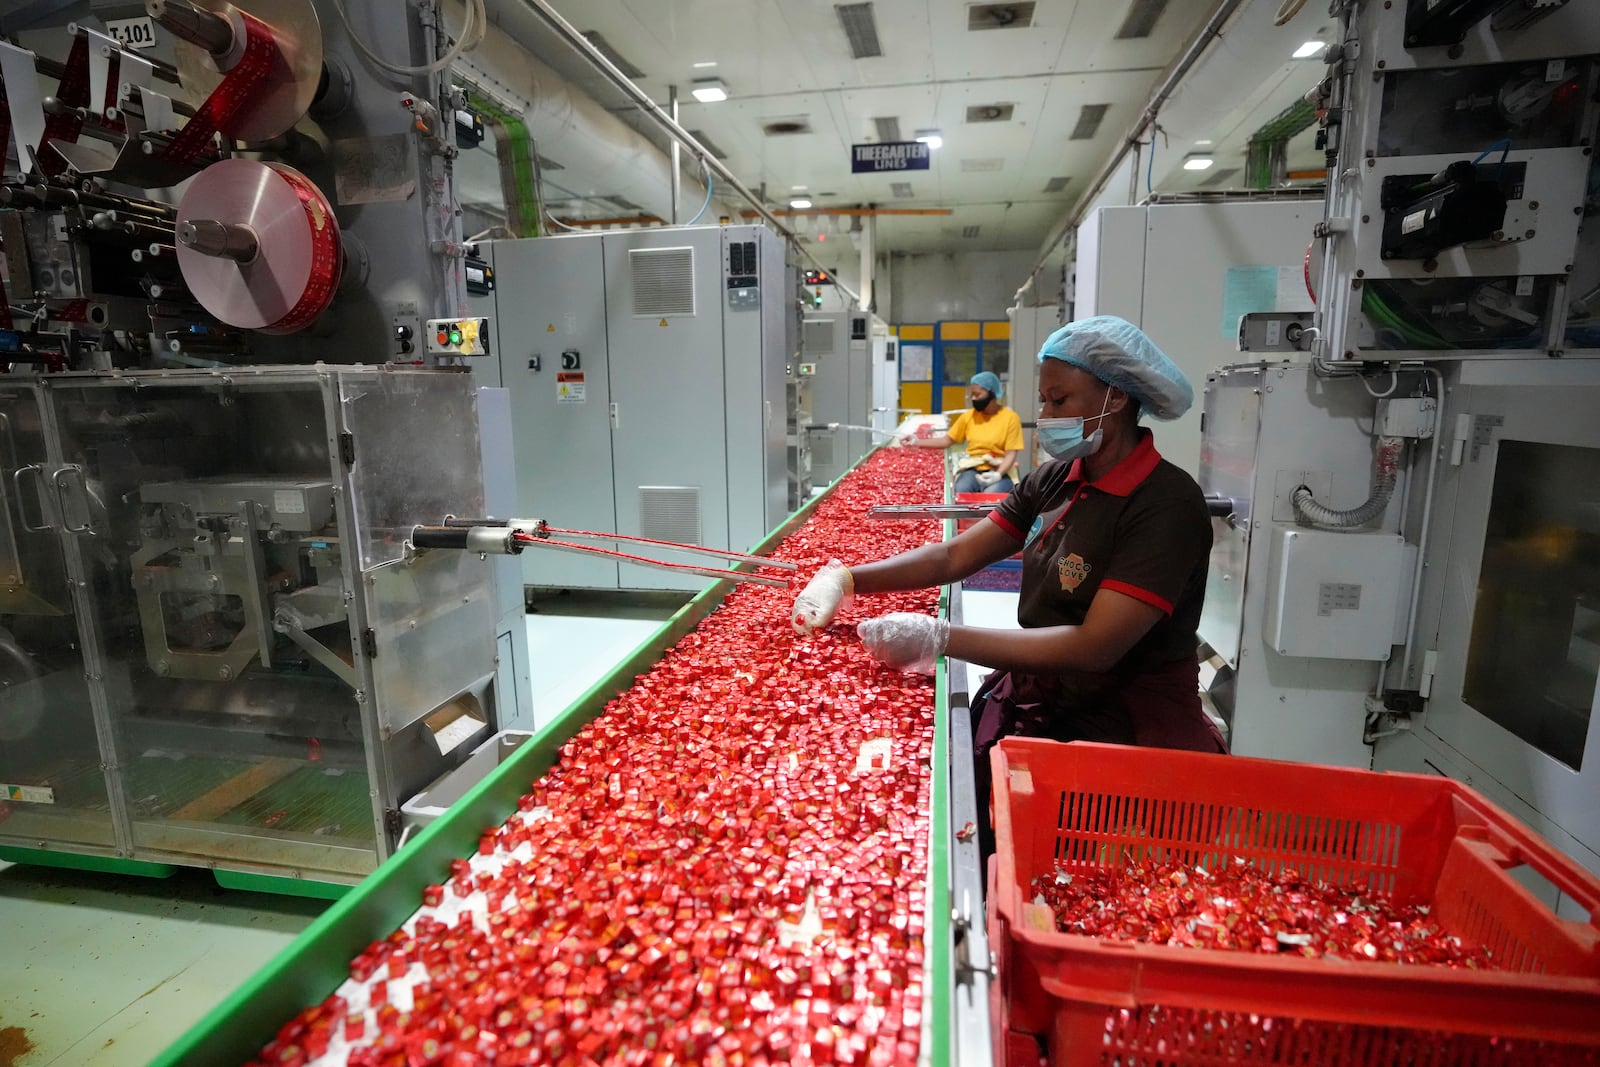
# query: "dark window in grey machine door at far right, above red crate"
(1535, 649)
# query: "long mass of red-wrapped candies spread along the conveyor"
(726, 868)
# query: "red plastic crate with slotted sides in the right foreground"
(1412, 836)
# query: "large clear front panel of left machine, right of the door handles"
(206, 514)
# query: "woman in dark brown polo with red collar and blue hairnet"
(1114, 561)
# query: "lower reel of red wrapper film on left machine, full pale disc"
(258, 246)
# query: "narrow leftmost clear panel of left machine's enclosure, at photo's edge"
(52, 781)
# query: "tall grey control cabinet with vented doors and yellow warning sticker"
(647, 380)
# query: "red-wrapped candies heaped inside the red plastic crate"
(1247, 909)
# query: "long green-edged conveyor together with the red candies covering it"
(753, 852)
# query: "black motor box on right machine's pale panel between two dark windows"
(1426, 215)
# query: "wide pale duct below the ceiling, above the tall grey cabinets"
(602, 154)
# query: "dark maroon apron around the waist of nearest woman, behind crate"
(1154, 709)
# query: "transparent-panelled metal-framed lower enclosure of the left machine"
(353, 671)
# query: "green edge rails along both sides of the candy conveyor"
(318, 962)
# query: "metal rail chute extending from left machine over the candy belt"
(510, 537)
